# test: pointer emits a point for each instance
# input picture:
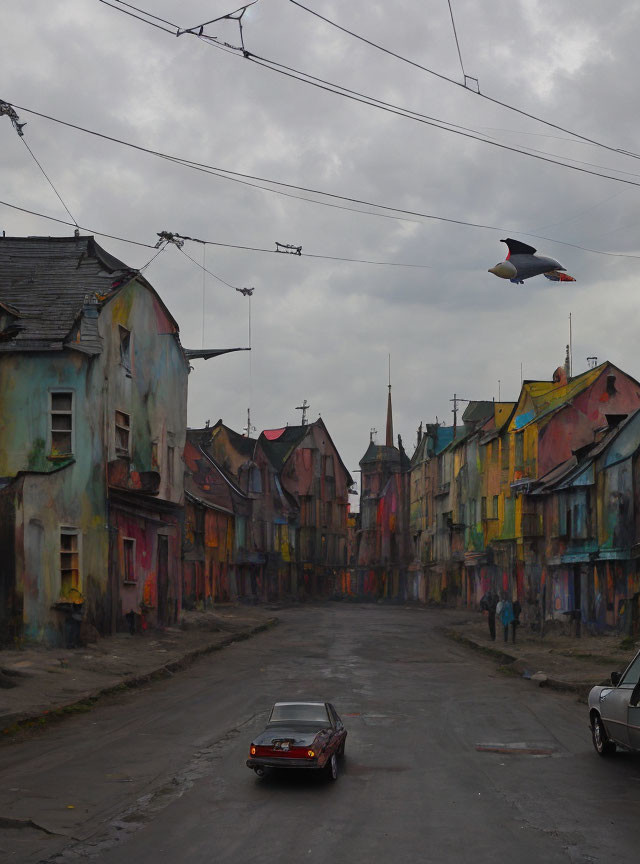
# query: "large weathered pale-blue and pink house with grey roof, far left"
(93, 382)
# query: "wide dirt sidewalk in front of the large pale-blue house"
(37, 683)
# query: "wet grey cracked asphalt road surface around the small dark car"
(447, 760)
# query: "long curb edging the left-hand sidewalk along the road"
(85, 702)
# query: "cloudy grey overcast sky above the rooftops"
(322, 330)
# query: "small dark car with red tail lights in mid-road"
(299, 735)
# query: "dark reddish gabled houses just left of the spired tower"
(291, 540)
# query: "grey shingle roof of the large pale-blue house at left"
(46, 279)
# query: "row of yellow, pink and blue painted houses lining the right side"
(509, 504)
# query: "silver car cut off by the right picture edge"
(614, 711)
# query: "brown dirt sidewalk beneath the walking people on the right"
(555, 660)
